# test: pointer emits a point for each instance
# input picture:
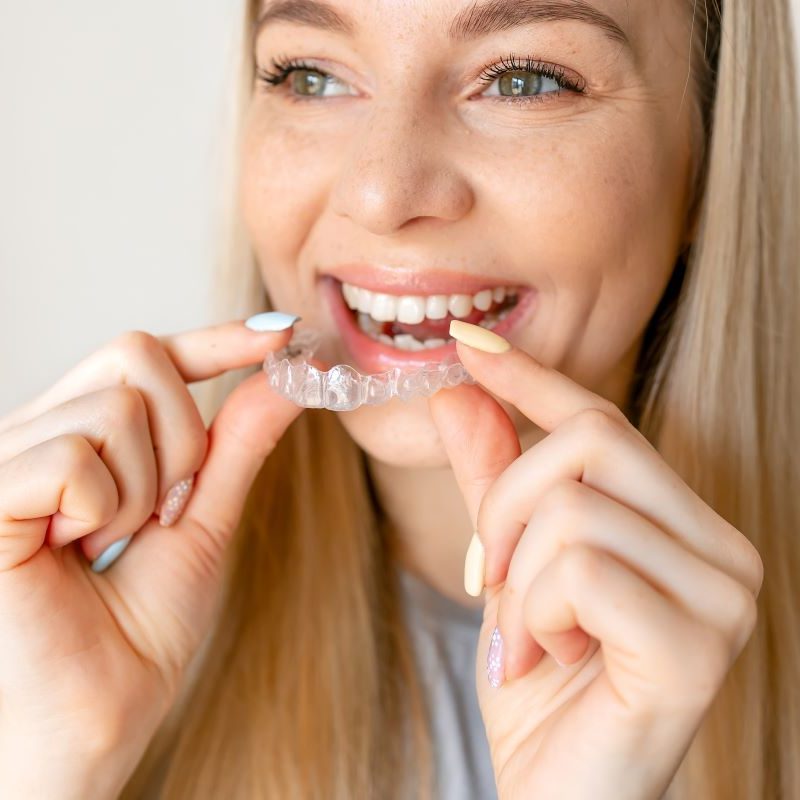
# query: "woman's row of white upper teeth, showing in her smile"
(412, 309)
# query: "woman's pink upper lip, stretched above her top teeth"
(405, 281)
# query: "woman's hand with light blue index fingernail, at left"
(91, 662)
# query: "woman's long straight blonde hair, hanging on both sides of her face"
(307, 685)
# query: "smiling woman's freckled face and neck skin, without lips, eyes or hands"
(582, 196)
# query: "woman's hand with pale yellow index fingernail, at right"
(599, 555)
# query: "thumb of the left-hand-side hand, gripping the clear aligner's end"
(244, 432)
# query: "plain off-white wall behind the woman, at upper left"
(108, 163)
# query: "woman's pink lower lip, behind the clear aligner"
(373, 356)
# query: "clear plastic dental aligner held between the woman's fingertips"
(343, 388)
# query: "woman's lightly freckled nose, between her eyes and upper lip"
(398, 170)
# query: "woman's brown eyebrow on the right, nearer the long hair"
(499, 15)
